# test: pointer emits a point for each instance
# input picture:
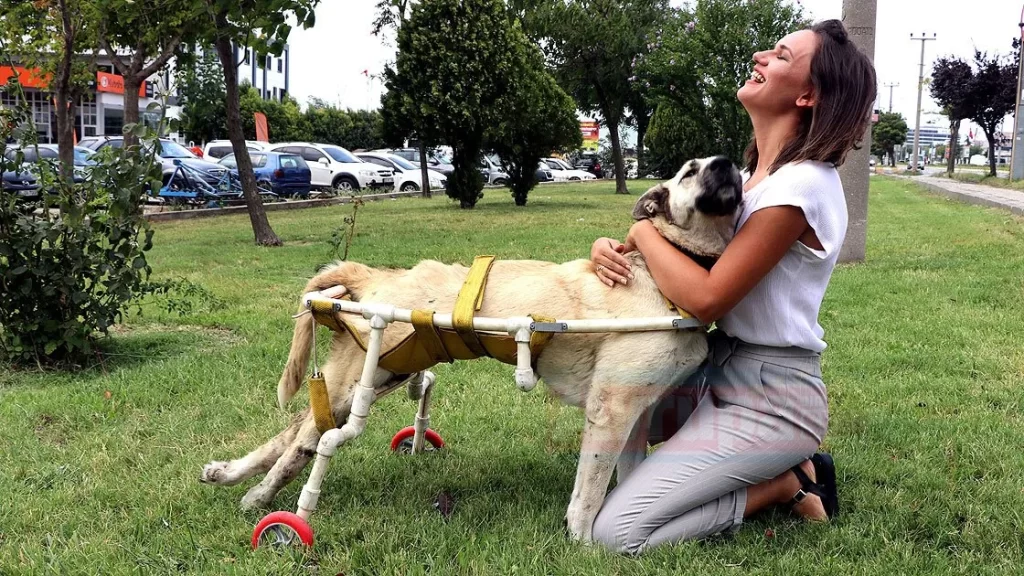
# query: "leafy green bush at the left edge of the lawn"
(72, 262)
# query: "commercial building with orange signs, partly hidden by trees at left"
(101, 111)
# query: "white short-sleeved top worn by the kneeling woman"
(783, 309)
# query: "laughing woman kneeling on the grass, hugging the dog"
(761, 409)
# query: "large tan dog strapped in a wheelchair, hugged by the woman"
(615, 378)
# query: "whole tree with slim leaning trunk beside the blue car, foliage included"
(265, 25)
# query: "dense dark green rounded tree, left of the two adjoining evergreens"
(452, 70)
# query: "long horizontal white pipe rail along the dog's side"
(510, 325)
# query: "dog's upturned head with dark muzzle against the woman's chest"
(696, 210)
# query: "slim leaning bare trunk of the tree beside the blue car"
(262, 227)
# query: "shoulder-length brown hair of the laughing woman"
(844, 90)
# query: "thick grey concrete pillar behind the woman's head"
(859, 18)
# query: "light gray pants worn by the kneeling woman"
(749, 415)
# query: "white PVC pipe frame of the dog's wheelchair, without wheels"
(381, 315)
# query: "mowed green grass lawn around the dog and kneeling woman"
(99, 469)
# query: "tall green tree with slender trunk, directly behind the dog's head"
(592, 46)
